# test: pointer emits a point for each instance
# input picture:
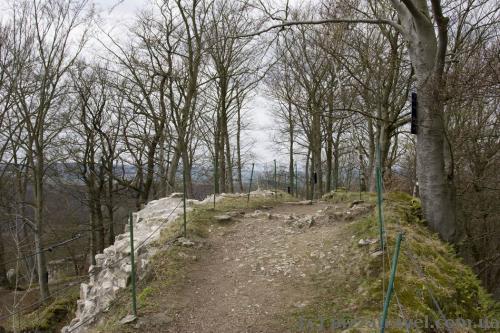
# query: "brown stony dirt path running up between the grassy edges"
(255, 271)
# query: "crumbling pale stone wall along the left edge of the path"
(112, 270)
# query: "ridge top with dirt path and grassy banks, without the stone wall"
(284, 267)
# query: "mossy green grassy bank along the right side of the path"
(454, 286)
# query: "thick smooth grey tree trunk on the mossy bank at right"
(428, 57)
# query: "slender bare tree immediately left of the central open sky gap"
(233, 69)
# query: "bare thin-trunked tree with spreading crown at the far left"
(42, 31)
